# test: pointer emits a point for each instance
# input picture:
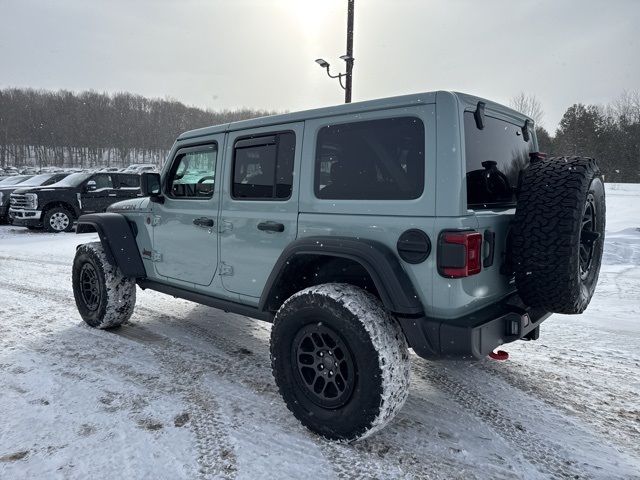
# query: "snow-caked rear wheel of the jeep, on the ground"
(378, 383)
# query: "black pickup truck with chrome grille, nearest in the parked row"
(56, 207)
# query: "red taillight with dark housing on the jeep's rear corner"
(459, 254)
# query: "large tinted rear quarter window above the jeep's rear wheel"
(371, 160)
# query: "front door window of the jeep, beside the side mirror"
(193, 173)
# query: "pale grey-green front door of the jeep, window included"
(185, 241)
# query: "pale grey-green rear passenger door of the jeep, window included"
(259, 212)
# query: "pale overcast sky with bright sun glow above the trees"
(260, 53)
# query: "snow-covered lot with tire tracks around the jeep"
(186, 391)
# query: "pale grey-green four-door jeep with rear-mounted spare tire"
(426, 221)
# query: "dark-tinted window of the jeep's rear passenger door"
(263, 167)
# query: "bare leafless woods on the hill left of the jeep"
(91, 129)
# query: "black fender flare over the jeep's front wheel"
(118, 239)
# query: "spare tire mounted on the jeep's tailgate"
(558, 233)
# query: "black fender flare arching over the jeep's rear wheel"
(381, 263)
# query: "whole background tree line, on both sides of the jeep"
(91, 129)
